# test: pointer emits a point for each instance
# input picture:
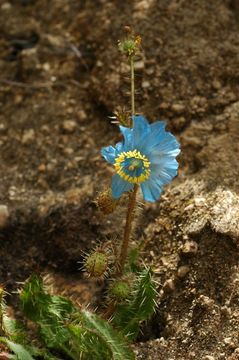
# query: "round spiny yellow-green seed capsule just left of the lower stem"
(96, 264)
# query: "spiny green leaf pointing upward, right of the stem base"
(140, 307)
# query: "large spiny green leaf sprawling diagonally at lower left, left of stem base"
(66, 329)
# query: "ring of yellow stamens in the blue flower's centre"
(135, 155)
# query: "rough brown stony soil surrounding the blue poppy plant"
(61, 77)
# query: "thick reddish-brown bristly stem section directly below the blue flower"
(127, 231)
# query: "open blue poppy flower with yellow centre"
(146, 157)
